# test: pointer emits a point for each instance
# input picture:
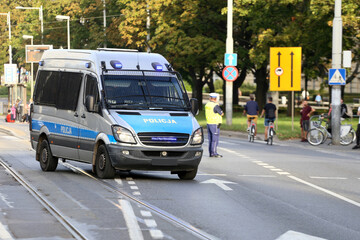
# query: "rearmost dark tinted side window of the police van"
(47, 86)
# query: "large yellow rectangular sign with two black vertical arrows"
(285, 69)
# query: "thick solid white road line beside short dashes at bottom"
(131, 221)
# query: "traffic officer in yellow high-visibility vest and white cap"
(213, 114)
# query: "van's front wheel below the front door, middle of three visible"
(103, 166)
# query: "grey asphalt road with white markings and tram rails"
(290, 190)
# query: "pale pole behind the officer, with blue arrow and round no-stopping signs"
(229, 49)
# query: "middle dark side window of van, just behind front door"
(68, 92)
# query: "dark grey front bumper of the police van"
(140, 158)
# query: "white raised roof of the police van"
(76, 59)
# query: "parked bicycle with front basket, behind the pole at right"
(319, 133)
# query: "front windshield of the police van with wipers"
(148, 91)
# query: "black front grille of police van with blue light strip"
(163, 139)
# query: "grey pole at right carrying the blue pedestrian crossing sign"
(336, 64)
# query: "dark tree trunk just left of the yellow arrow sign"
(262, 86)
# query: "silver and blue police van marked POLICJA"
(115, 109)
